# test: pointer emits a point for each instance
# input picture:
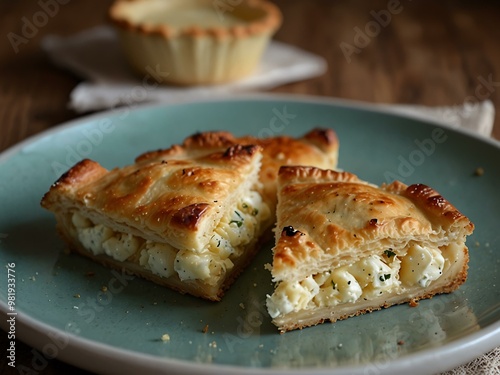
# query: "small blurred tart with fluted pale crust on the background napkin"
(193, 42)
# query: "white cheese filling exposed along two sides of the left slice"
(208, 265)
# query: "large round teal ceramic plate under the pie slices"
(62, 311)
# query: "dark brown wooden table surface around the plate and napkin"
(430, 53)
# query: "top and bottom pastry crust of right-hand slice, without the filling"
(329, 219)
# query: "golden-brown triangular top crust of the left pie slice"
(180, 201)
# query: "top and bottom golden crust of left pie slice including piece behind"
(178, 196)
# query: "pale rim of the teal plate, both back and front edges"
(455, 353)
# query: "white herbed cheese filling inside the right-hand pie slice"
(368, 278)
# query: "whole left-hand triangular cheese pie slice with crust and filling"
(190, 221)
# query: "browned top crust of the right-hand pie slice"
(336, 211)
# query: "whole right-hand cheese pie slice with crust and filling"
(345, 247)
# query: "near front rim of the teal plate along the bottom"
(468, 347)
